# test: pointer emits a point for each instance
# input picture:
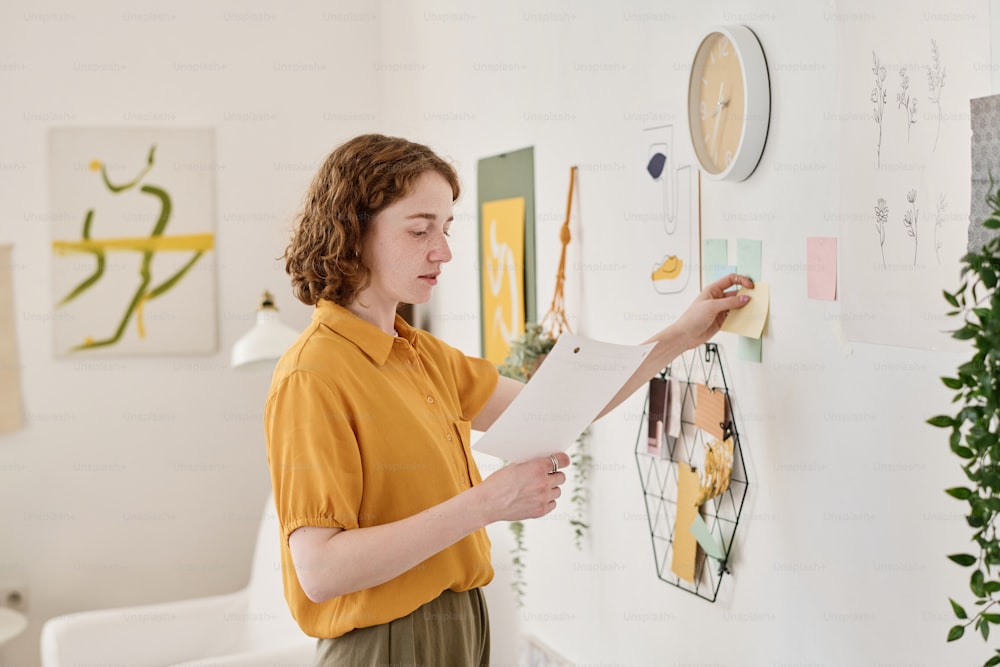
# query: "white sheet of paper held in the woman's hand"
(577, 379)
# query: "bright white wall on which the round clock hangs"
(841, 549)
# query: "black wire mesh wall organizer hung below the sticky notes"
(659, 469)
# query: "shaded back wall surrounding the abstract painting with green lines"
(138, 480)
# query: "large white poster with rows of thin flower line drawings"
(903, 164)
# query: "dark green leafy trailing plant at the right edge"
(975, 429)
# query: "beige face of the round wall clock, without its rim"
(716, 103)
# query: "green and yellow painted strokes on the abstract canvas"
(156, 242)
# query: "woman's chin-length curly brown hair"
(359, 179)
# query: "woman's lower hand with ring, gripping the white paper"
(526, 490)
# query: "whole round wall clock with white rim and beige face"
(729, 103)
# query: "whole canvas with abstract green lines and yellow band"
(132, 212)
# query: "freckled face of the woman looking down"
(407, 244)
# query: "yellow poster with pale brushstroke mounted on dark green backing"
(502, 252)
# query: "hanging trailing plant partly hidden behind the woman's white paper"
(526, 353)
